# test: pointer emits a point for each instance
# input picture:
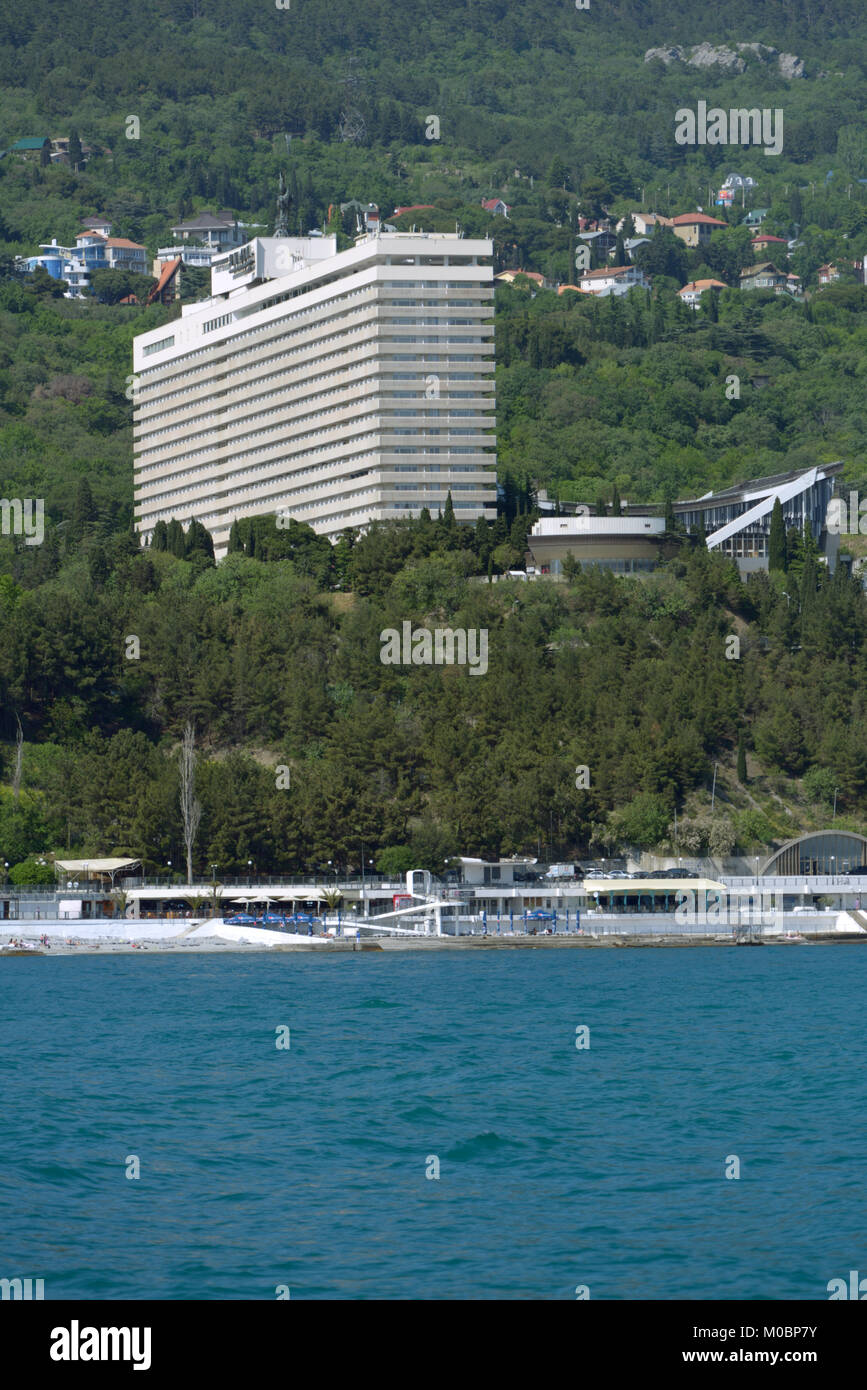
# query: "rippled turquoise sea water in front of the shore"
(306, 1167)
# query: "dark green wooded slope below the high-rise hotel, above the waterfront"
(630, 680)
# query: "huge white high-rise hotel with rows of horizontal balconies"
(337, 389)
